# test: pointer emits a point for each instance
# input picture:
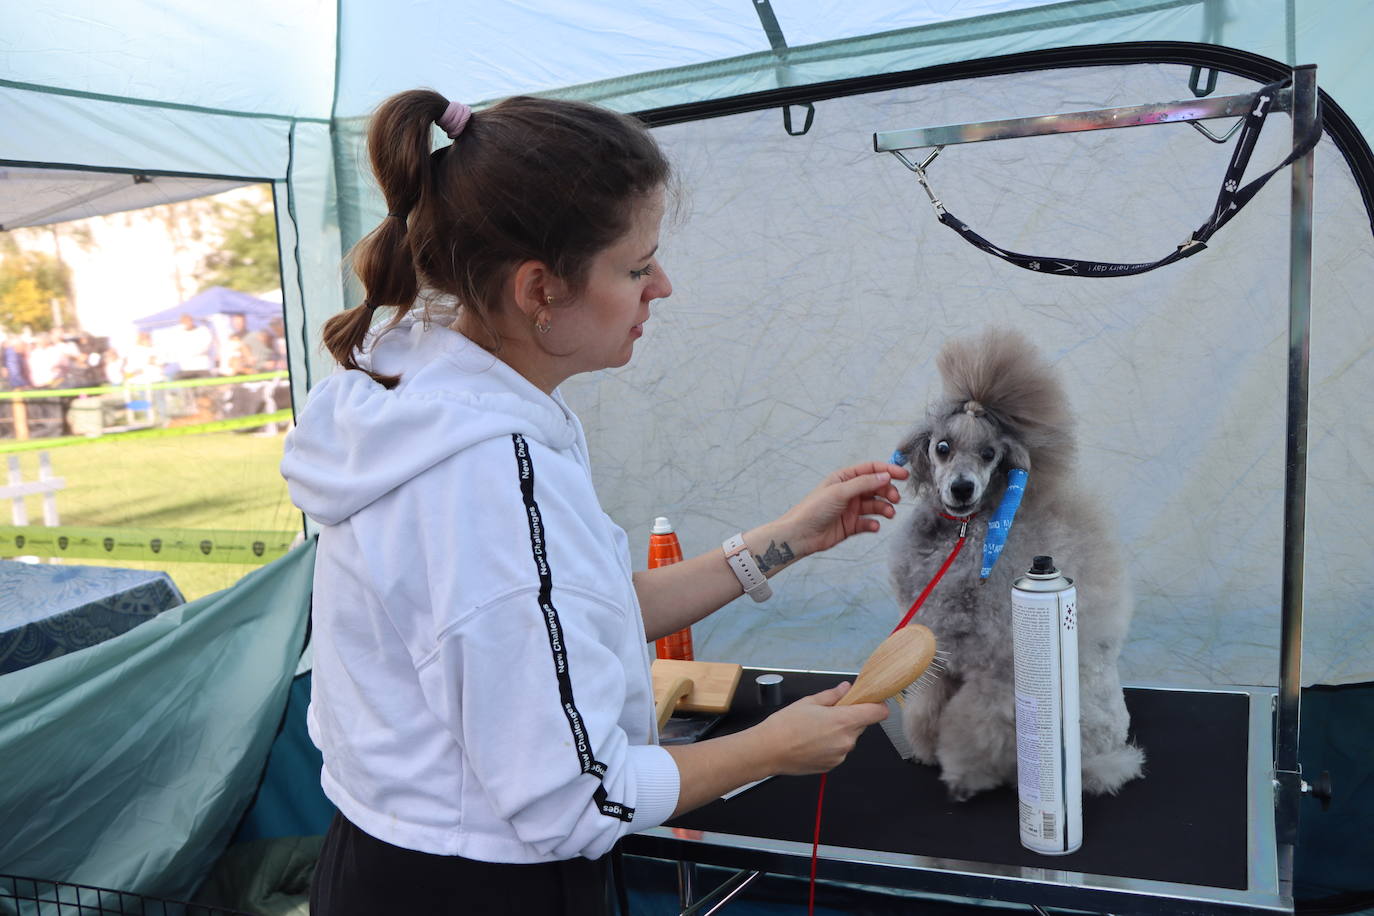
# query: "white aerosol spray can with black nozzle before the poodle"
(1045, 626)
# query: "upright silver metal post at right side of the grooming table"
(1288, 779)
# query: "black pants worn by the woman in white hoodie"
(361, 875)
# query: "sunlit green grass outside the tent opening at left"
(205, 481)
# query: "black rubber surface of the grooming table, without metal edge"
(1185, 822)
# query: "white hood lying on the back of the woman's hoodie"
(358, 442)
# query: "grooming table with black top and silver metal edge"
(1196, 836)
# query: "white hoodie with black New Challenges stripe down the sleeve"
(482, 672)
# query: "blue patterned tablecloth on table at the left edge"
(53, 610)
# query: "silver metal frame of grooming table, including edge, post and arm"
(1276, 786)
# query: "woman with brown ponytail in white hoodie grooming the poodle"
(483, 694)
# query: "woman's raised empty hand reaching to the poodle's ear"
(843, 506)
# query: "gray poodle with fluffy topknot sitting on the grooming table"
(1005, 409)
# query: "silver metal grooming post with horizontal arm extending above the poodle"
(1300, 100)
